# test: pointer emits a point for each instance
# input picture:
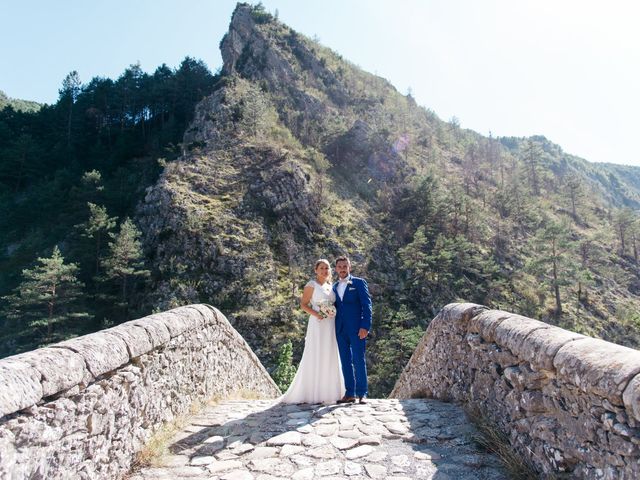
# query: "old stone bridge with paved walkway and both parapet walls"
(89, 407)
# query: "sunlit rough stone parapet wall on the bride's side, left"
(82, 408)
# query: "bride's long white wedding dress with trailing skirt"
(319, 376)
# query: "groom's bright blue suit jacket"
(353, 312)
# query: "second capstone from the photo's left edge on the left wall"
(59, 368)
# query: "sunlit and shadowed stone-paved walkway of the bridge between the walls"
(385, 439)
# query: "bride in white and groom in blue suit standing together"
(333, 368)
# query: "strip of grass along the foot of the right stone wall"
(490, 438)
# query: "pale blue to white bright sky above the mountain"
(569, 70)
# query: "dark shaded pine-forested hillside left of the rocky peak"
(71, 175)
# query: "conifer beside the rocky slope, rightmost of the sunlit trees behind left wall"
(124, 263)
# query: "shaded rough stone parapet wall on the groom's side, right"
(569, 403)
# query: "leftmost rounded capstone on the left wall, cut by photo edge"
(20, 386)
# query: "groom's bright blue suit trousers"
(354, 367)
